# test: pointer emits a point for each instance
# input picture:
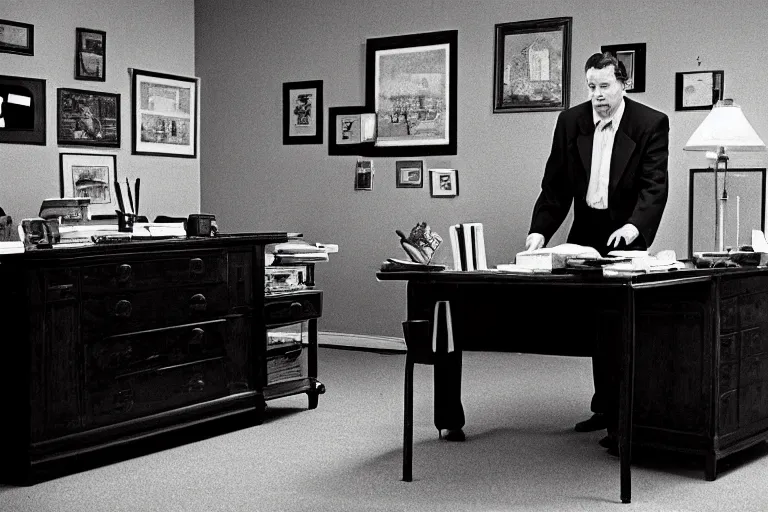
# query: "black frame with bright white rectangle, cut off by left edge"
(23, 112)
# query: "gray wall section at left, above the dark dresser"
(155, 35)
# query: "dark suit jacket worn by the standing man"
(637, 188)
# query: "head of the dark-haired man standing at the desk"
(606, 78)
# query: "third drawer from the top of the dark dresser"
(129, 353)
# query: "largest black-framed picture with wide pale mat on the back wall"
(407, 71)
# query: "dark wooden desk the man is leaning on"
(694, 345)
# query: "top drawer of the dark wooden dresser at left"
(128, 274)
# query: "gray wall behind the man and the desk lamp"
(246, 50)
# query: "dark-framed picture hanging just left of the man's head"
(532, 65)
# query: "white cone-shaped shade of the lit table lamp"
(725, 126)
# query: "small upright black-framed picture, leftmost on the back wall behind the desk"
(303, 112)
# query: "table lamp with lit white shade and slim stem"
(724, 129)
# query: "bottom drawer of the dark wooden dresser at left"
(152, 391)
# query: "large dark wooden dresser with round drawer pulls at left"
(108, 343)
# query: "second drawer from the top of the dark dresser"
(130, 312)
